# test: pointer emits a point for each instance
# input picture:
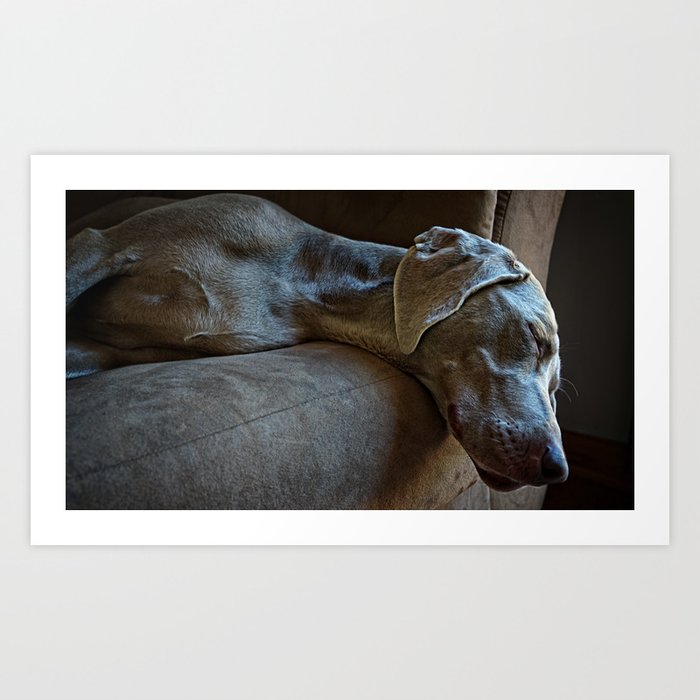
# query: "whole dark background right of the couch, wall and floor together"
(591, 287)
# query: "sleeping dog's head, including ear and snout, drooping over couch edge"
(483, 337)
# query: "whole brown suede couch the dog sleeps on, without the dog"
(315, 426)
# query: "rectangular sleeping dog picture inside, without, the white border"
(348, 349)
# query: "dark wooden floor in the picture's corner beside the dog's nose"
(601, 476)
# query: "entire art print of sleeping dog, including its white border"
(299, 360)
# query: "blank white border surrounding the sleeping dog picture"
(647, 175)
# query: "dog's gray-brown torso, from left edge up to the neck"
(192, 275)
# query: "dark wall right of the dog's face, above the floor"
(591, 286)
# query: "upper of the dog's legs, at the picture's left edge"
(91, 258)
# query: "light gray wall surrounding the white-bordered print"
(80, 623)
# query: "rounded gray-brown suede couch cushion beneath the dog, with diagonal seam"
(321, 425)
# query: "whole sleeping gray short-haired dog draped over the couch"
(229, 274)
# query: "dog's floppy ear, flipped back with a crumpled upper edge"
(437, 274)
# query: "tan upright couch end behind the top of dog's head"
(525, 221)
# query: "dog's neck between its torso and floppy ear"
(347, 288)
